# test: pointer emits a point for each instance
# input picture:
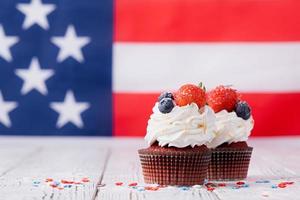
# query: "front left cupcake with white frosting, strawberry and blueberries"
(177, 134)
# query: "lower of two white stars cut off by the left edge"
(5, 108)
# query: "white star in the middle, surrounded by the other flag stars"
(34, 77)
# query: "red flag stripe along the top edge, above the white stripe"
(207, 20)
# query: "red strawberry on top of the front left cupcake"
(190, 93)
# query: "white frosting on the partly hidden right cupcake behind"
(231, 128)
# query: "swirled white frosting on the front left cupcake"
(183, 126)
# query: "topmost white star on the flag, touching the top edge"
(35, 13)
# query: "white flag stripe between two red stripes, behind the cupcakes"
(152, 67)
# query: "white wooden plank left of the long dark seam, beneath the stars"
(66, 159)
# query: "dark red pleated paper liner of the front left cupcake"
(174, 168)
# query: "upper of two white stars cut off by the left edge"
(5, 44)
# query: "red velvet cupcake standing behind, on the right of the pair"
(230, 152)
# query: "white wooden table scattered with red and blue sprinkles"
(89, 168)
